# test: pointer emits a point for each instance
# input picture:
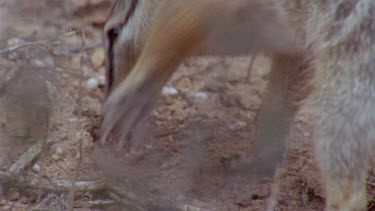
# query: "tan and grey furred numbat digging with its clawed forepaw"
(334, 40)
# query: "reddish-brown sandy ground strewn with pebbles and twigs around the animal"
(205, 120)
